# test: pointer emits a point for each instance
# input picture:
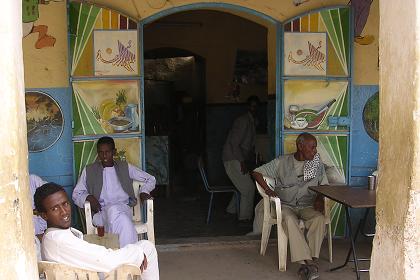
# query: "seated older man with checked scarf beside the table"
(294, 173)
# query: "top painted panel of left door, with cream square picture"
(104, 42)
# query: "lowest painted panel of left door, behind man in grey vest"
(128, 149)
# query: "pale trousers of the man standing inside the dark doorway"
(245, 186)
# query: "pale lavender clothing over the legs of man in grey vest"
(118, 219)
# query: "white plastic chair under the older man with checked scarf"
(272, 216)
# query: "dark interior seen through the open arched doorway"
(223, 48)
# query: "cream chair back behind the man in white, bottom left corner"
(57, 271)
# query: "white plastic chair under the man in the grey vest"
(142, 227)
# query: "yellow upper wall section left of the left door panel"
(47, 67)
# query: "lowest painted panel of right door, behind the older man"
(333, 152)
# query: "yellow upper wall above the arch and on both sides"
(48, 67)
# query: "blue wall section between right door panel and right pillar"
(364, 150)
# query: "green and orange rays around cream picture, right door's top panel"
(336, 24)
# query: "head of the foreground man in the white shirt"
(52, 204)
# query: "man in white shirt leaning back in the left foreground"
(65, 245)
